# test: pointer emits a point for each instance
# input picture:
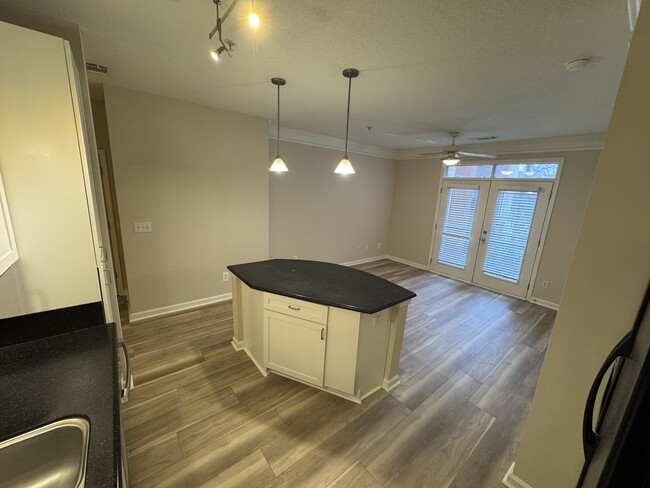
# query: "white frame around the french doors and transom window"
(547, 219)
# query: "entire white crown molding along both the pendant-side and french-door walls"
(524, 146)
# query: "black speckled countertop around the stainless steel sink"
(67, 375)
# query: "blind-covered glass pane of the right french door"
(513, 216)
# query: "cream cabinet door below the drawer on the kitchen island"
(295, 347)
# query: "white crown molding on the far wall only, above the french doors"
(548, 144)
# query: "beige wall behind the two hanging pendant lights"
(317, 214)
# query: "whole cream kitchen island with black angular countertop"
(330, 326)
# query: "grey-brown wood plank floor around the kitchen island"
(201, 415)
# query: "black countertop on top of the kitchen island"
(324, 283)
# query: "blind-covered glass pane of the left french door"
(457, 226)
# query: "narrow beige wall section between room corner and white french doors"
(414, 209)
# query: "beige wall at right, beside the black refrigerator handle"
(606, 281)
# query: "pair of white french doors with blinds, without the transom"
(488, 232)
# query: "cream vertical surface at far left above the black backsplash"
(43, 178)
